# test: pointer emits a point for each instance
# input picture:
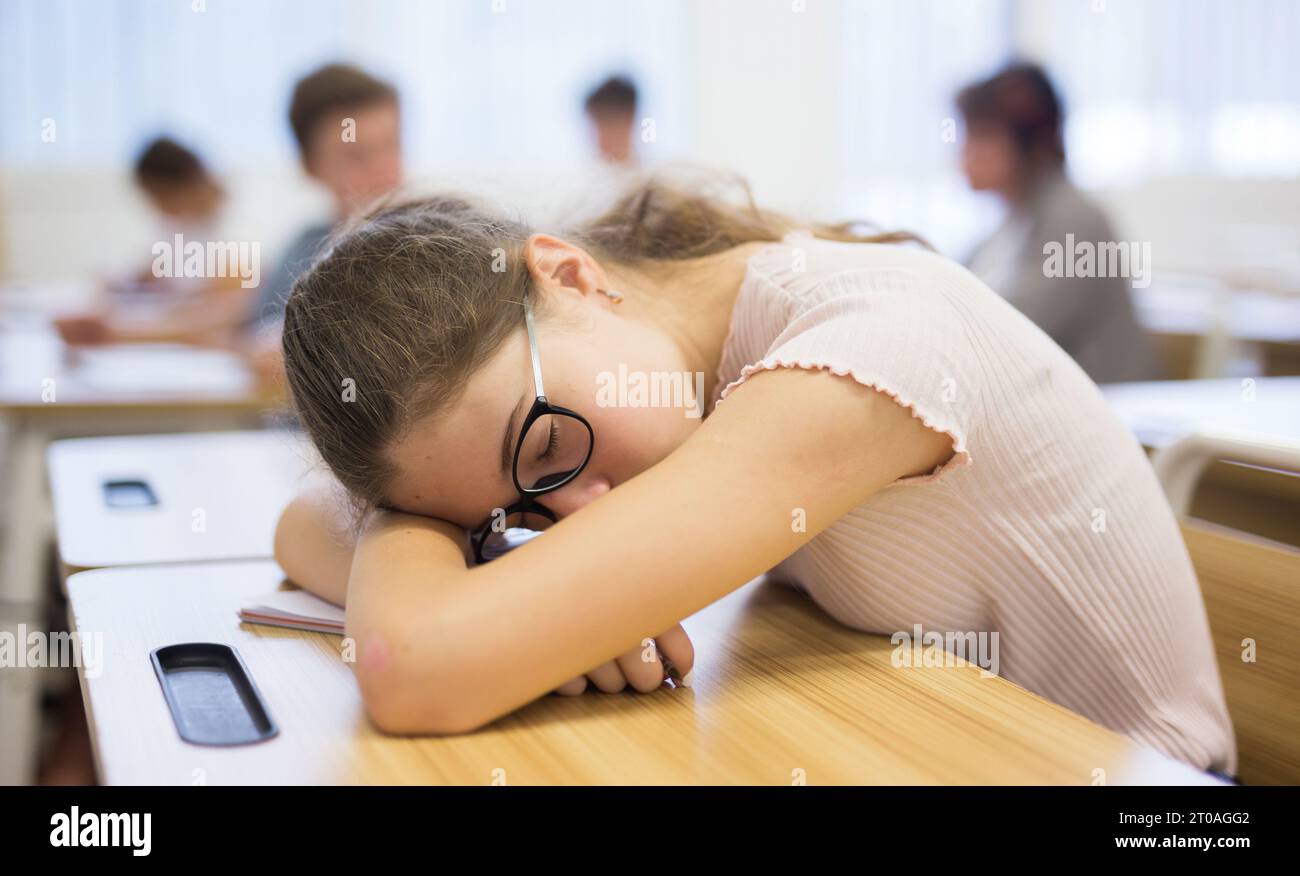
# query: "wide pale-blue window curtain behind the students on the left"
(484, 83)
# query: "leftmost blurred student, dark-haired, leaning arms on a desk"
(188, 201)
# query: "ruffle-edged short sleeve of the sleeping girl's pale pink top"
(889, 332)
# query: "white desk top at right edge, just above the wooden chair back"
(1160, 413)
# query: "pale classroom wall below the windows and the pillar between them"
(66, 224)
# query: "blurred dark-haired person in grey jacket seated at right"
(1015, 149)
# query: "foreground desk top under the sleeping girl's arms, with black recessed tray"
(781, 692)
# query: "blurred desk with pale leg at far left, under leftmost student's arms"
(47, 393)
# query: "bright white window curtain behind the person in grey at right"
(1151, 88)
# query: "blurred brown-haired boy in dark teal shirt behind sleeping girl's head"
(348, 127)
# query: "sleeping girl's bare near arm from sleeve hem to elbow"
(447, 649)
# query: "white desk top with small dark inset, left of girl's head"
(219, 496)
